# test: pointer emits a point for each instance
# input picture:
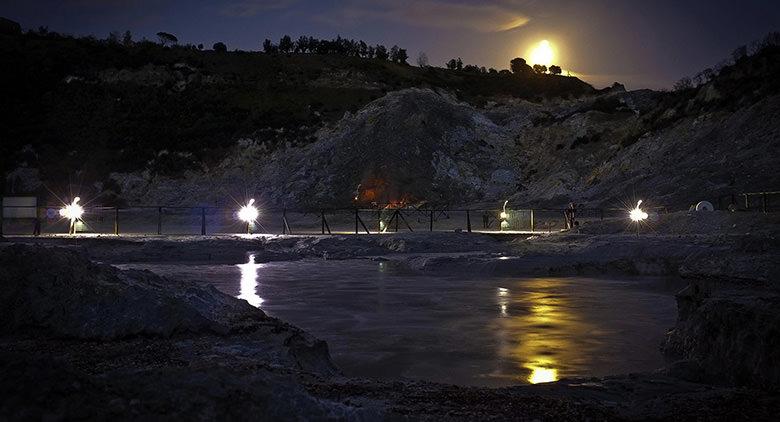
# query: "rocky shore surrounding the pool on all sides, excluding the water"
(82, 339)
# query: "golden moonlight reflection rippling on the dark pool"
(539, 333)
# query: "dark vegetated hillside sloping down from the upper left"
(79, 101)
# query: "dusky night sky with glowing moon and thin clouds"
(644, 44)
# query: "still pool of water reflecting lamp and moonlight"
(382, 320)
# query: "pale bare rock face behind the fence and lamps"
(427, 146)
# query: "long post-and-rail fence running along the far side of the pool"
(172, 221)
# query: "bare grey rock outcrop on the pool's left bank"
(57, 293)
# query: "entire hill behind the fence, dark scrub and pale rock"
(154, 125)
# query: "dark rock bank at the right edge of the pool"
(727, 336)
